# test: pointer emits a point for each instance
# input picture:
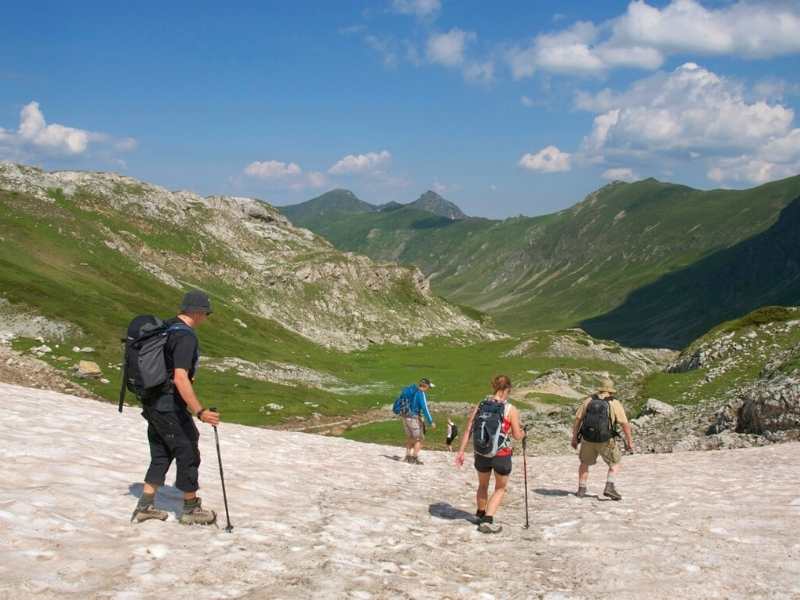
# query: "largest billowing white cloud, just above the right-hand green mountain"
(693, 112)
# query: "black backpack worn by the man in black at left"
(144, 367)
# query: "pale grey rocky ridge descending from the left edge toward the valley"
(247, 248)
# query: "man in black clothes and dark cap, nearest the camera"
(171, 431)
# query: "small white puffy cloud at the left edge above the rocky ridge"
(35, 136)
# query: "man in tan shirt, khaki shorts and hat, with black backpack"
(595, 430)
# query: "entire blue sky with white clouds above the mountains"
(505, 108)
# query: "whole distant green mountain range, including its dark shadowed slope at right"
(648, 263)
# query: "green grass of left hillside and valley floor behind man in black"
(56, 259)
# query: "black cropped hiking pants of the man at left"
(172, 436)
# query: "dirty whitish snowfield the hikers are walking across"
(327, 518)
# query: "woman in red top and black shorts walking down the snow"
(492, 407)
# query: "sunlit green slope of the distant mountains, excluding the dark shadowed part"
(561, 269)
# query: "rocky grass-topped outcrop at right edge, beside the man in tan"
(739, 386)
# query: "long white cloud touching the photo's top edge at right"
(645, 35)
